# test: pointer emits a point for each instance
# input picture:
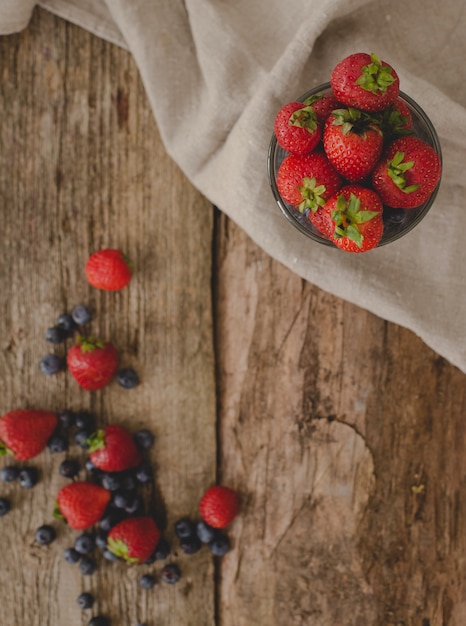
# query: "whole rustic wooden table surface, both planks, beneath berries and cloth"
(343, 434)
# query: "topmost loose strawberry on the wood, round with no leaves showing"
(108, 269)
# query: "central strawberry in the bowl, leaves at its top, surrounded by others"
(352, 142)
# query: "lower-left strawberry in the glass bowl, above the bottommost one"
(306, 182)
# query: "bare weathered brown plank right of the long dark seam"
(346, 436)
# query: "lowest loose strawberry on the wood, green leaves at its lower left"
(134, 539)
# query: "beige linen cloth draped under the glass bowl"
(217, 71)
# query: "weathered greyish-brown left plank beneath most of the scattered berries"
(82, 167)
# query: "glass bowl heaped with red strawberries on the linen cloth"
(355, 163)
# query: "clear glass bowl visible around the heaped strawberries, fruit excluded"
(397, 222)
